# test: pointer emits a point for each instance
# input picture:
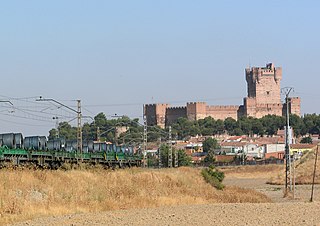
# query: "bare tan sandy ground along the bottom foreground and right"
(284, 211)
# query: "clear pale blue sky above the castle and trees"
(116, 56)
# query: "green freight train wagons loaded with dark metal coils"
(38, 151)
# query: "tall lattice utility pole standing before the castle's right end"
(287, 146)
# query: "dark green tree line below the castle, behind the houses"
(182, 129)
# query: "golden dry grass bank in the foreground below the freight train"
(26, 194)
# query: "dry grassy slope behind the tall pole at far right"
(303, 170)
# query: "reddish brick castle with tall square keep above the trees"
(263, 98)
